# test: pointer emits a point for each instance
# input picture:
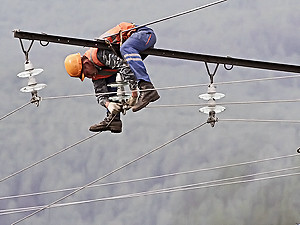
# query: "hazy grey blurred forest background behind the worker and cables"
(266, 30)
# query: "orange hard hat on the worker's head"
(73, 65)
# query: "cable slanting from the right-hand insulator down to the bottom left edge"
(110, 173)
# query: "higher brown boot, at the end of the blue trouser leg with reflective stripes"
(145, 97)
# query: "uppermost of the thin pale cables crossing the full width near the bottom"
(159, 176)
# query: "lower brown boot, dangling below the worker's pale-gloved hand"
(110, 123)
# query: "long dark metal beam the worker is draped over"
(161, 52)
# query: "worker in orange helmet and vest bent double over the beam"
(102, 67)
